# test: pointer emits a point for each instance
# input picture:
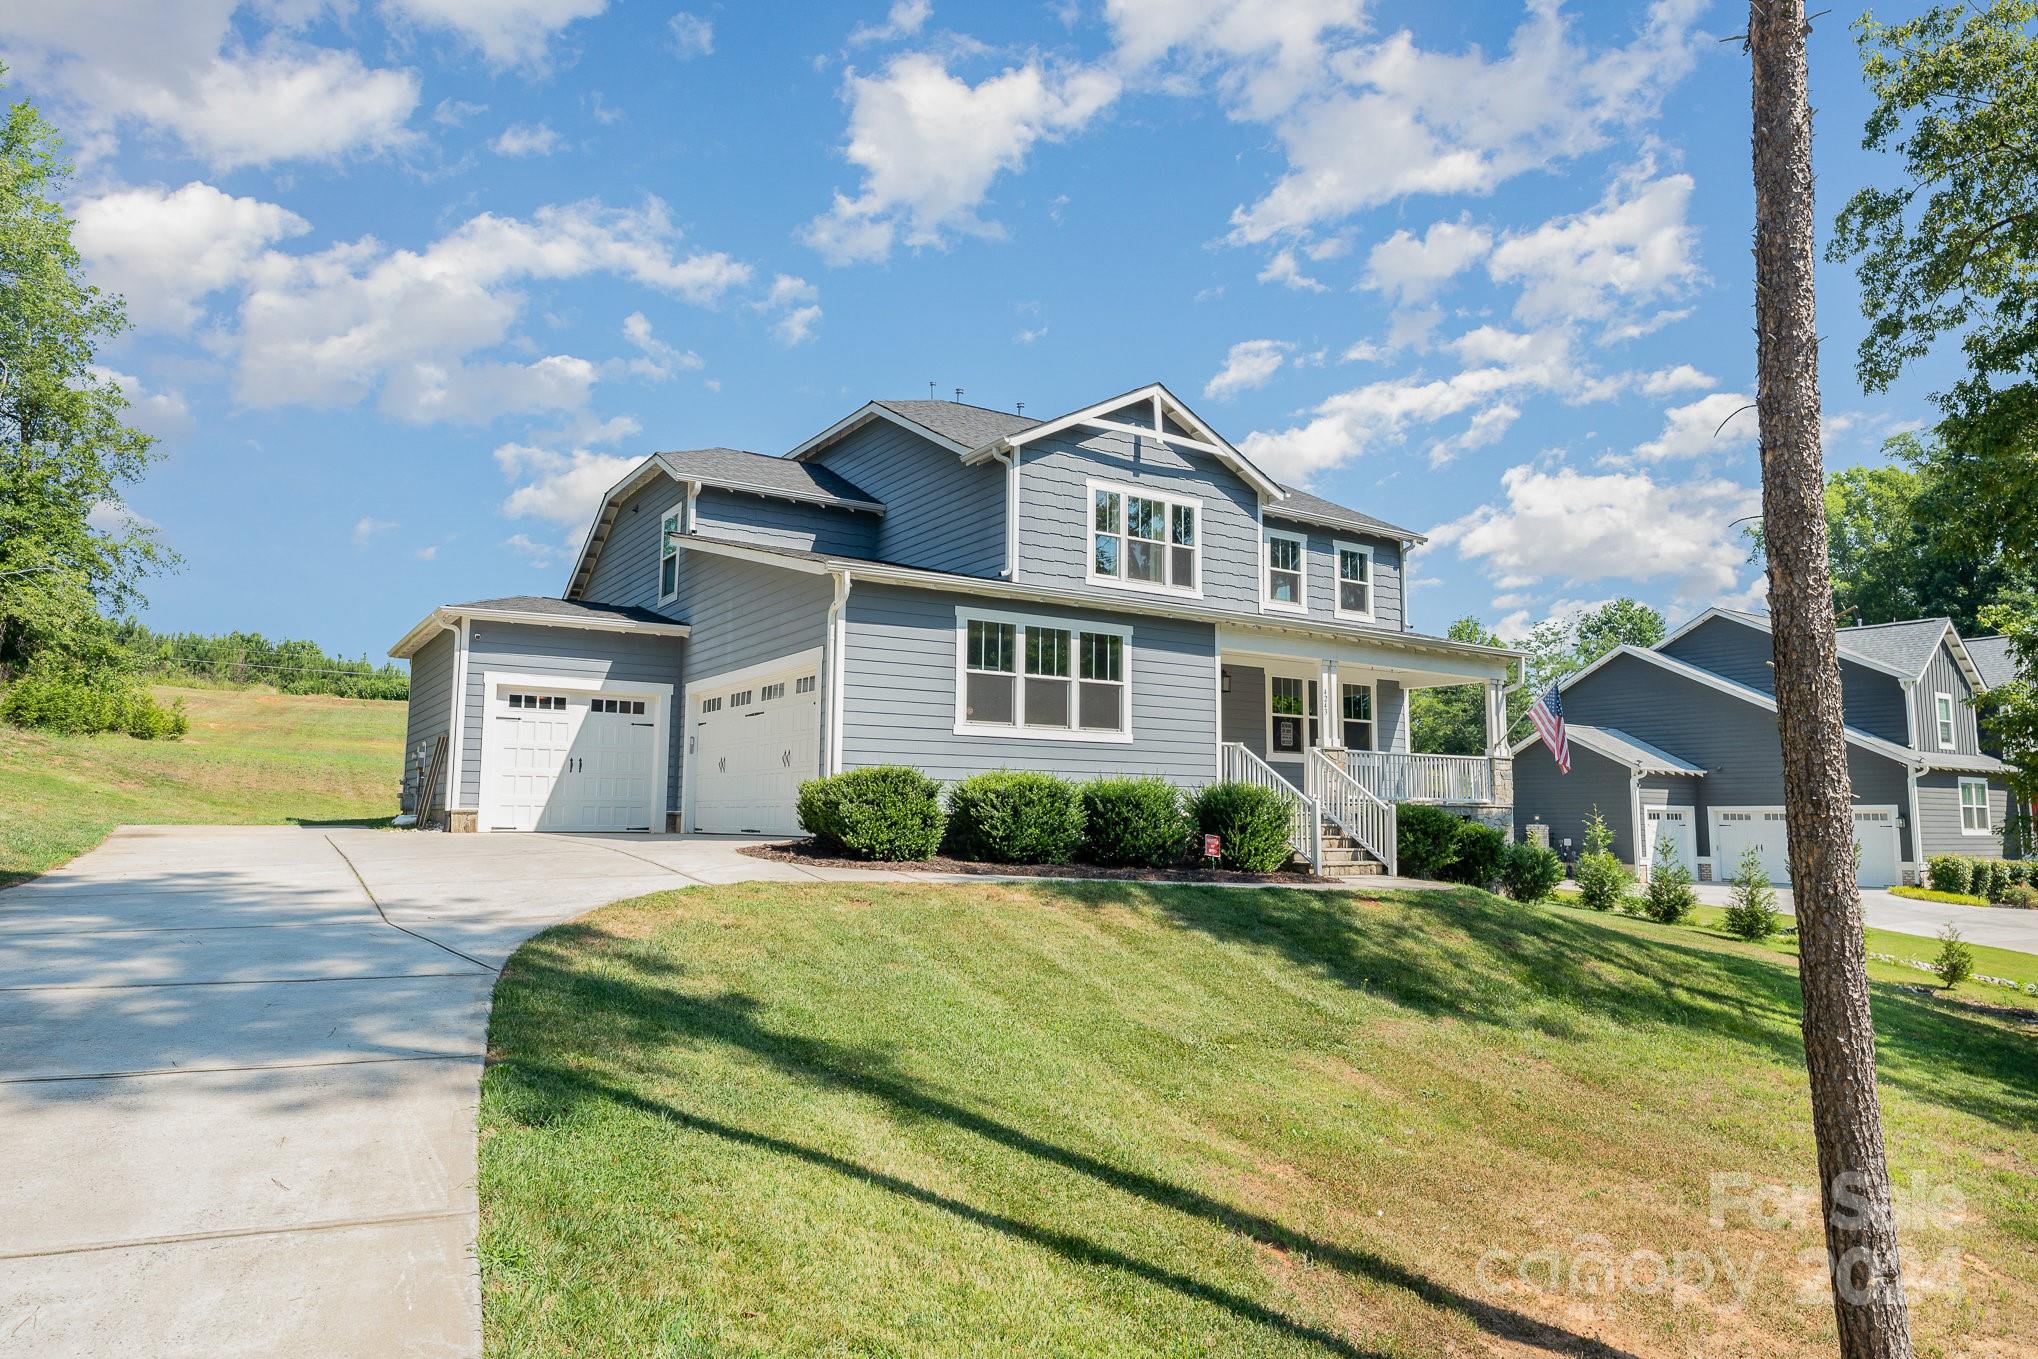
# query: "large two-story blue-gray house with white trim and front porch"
(953, 588)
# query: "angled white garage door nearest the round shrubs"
(753, 745)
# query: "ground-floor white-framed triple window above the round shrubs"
(1042, 677)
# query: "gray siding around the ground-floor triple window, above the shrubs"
(900, 696)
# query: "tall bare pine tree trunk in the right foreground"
(1839, 1036)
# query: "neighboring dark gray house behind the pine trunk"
(1680, 743)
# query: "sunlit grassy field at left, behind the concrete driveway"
(252, 757)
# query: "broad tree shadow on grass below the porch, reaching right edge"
(1485, 961)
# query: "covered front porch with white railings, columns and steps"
(1328, 720)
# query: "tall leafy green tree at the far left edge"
(64, 447)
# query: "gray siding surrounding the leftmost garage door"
(566, 653)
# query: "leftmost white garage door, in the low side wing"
(564, 761)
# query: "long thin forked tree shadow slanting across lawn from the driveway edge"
(653, 1016)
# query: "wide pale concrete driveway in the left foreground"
(239, 1073)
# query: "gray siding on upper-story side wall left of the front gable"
(938, 514)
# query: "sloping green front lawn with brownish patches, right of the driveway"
(1120, 1120)
